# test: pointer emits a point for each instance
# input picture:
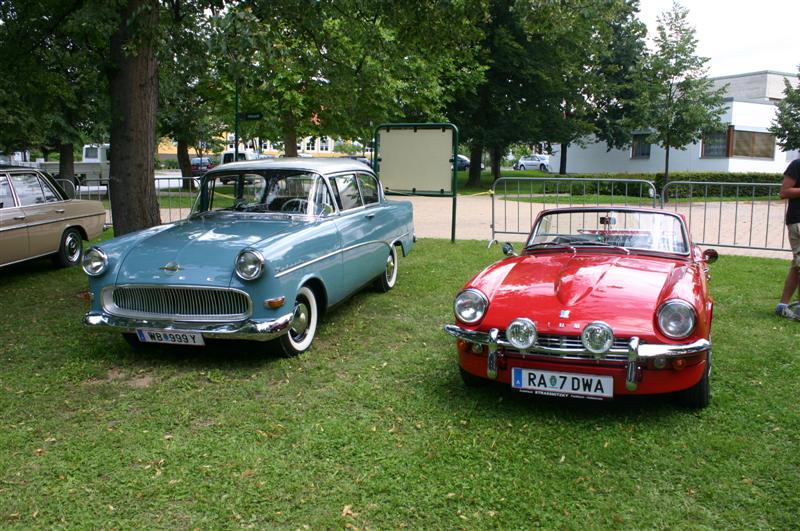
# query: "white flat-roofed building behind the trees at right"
(745, 146)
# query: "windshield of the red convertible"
(648, 231)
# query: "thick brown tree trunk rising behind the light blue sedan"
(133, 82)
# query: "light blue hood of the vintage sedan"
(202, 250)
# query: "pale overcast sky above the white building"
(739, 36)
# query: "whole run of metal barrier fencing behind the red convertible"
(726, 214)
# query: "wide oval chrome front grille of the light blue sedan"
(177, 303)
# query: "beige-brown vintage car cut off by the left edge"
(38, 219)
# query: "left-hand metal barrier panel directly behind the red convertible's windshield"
(522, 198)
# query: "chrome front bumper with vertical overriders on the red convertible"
(637, 352)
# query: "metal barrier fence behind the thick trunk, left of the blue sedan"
(175, 195)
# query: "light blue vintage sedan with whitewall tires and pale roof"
(269, 246)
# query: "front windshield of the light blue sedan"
(269, 191)
